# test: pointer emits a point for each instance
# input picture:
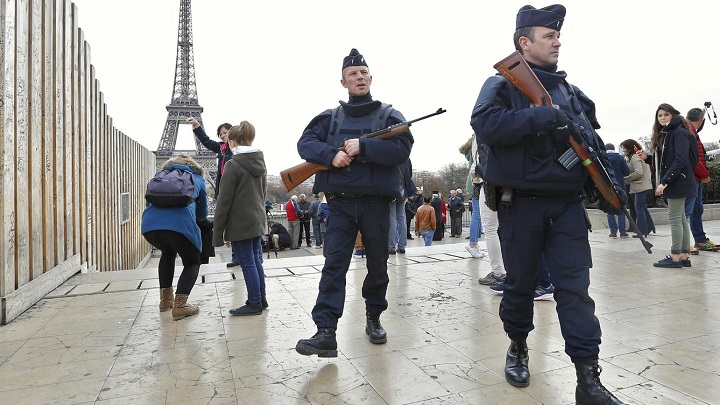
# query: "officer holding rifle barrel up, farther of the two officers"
(362, 179)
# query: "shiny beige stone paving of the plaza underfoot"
(99, 338)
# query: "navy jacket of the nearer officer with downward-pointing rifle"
(522, 154)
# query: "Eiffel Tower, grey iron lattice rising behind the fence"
(184, 102)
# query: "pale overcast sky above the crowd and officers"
(277, 63)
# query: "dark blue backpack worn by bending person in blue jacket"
(171, 188)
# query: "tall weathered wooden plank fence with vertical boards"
(71, 185)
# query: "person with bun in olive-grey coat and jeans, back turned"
(240, 213)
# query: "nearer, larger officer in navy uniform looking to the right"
(541, 211)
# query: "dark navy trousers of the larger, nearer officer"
(553, 226)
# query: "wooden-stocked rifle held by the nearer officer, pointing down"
(516, 70)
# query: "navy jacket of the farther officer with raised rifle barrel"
(376, 170)
